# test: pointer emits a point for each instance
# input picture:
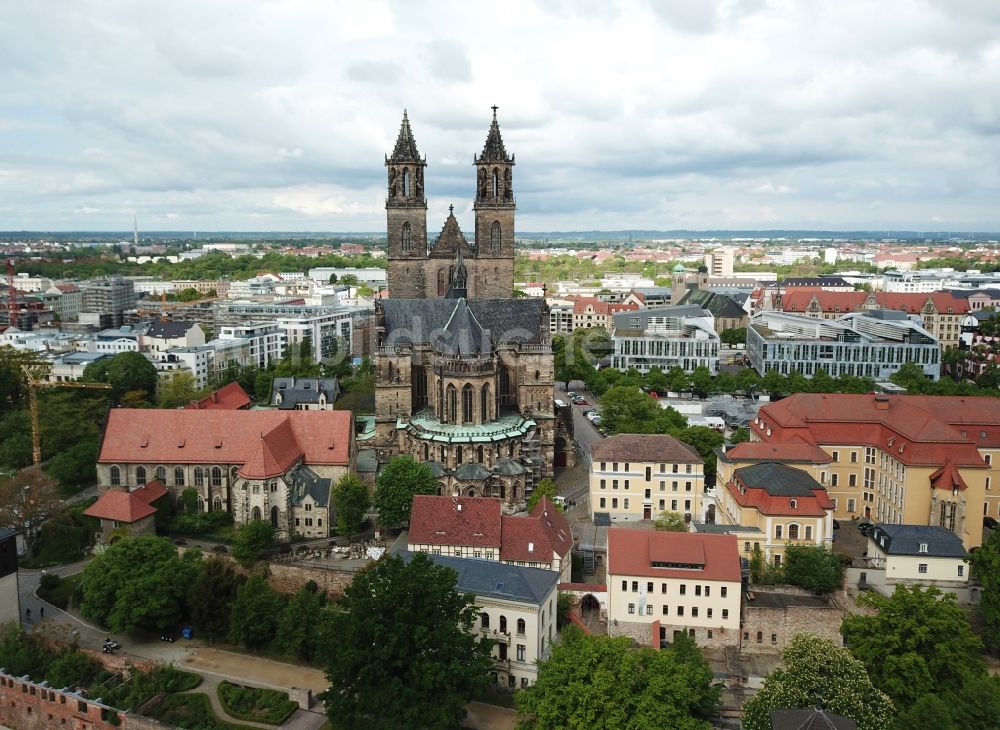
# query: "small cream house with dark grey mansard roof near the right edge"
(915, 555)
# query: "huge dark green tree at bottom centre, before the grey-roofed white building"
(406, 653)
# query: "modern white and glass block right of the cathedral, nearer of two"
(666, 337)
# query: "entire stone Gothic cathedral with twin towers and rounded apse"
(464, 372)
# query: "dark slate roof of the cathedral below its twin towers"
(425, 321)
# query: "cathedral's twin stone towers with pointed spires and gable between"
(419, 271)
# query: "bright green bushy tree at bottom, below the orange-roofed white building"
(602, 682)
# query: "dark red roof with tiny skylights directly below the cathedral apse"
(457, 521)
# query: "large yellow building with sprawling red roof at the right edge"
(901, 459)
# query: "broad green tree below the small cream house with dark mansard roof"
(918, 641)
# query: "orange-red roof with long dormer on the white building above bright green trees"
(632, 552)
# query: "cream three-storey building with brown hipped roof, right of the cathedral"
(637, 476)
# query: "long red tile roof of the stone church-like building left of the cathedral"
(145, 436)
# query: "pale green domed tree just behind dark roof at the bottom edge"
(817, 671)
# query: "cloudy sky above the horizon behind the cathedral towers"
(276, 115)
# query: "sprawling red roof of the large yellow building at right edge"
(926, 430)
